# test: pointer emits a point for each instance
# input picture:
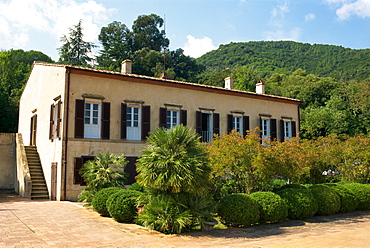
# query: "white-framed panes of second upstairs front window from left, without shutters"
(133, 126)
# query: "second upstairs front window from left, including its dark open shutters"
(135, 121)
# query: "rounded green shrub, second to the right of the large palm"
(272, 208)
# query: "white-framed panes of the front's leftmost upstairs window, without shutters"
(92, 129)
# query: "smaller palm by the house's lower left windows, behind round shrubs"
(105, 170)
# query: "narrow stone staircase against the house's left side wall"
(39, 187)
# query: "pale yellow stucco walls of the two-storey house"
(50, 84)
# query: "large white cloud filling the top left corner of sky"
(18, 18)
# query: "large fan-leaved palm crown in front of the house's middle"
(174, 162)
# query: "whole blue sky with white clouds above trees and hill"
(197, 26)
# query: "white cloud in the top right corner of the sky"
(347, 8)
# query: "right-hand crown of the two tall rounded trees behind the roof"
(146, 33)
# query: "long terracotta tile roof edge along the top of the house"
(168, 81)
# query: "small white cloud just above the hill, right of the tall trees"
(197, 47)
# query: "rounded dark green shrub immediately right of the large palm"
(238, 210)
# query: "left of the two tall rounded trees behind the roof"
(116, 40)
